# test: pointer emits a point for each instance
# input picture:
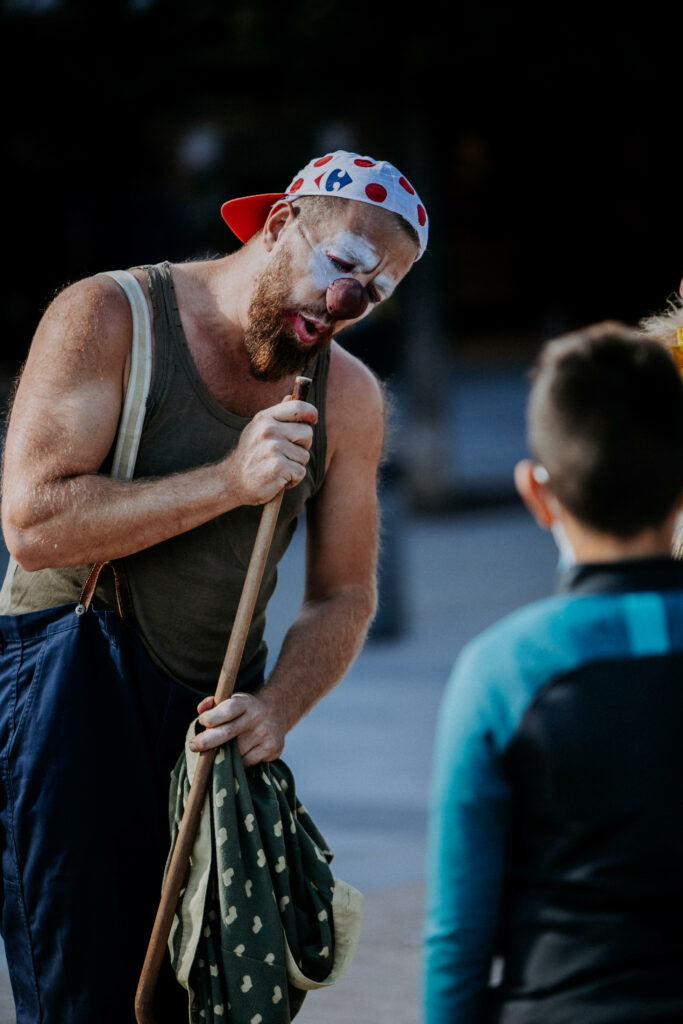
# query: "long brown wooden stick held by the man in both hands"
(193, 812)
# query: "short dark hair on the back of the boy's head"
(606, 422)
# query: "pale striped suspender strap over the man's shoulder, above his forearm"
(133, 416)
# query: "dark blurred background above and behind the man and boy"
(545, 144)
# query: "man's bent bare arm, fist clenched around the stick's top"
(57, 508)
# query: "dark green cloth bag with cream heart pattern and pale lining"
(262, 919)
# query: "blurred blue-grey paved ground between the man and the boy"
(362, 758)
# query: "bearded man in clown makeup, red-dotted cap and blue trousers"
(95, 707)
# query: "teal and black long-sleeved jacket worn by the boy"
(556, 838)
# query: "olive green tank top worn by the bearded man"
(186, 590)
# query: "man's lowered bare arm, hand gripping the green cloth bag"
(340, 592)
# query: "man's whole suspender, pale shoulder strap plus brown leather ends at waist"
(131, 429)
